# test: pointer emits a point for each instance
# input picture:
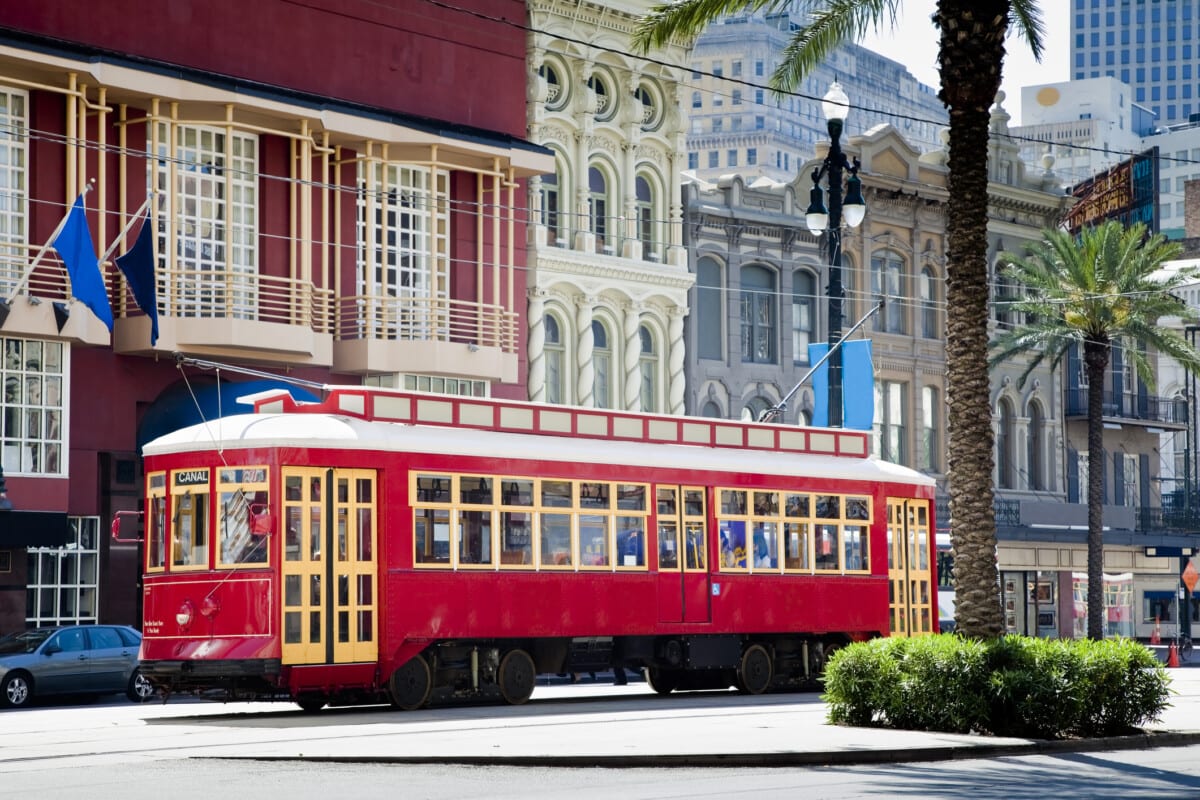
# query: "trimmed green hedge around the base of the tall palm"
(1012, 687)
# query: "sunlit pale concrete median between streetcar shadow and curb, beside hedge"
(685, 730)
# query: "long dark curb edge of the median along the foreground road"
(777, 760)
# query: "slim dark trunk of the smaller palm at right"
(1096, 363)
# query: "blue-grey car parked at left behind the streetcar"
(71, 660)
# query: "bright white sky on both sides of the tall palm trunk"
(914, 43)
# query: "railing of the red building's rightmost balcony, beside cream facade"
(374, 317)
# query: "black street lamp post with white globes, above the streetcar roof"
(836, 107)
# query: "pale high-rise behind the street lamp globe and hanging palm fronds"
(740, 125)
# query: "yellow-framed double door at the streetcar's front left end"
(329, 578)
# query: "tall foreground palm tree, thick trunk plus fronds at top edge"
(971, 56)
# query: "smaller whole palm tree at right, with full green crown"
(1093, 292)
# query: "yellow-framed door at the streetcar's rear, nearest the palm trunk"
(910, 572)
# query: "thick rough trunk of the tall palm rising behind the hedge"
(973, 50)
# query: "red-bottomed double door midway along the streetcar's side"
(683, 555)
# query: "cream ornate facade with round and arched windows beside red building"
(609, 290)
